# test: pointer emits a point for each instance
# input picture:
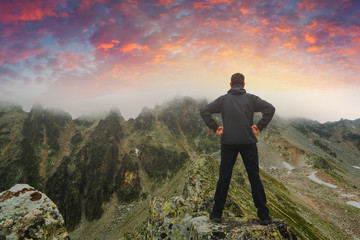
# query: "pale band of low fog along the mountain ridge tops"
(319, 105)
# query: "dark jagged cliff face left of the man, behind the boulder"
(83, 163)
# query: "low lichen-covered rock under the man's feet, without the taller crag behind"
(177, 218)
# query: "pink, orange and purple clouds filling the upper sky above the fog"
(148, 37)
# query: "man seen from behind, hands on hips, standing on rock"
(237, 110)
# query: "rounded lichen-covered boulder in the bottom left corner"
(26, 213)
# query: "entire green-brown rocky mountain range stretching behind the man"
(102, 171)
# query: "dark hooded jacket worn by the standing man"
(237, 110)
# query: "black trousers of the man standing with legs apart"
(250, 158)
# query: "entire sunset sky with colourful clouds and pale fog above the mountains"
(86, 56)
